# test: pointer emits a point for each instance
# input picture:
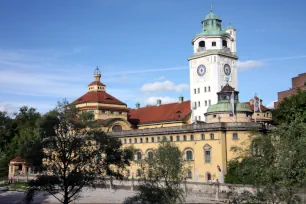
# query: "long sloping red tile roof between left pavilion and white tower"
(164, 112)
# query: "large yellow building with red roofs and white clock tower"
(204, 128)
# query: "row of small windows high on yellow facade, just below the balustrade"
(171, 138)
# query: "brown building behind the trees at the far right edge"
(298, 82)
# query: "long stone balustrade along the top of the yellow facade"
(189, 128)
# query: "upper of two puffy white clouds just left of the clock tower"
(163, 86)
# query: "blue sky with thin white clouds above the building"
(49, 49)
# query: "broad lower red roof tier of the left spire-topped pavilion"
(98, 96)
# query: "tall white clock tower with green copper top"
(212, 65)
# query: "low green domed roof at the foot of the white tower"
(227, 107)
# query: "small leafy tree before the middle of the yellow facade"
(162, 175)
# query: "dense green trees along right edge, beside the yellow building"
(275, 163)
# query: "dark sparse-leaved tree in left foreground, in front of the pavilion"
(76, 154)
